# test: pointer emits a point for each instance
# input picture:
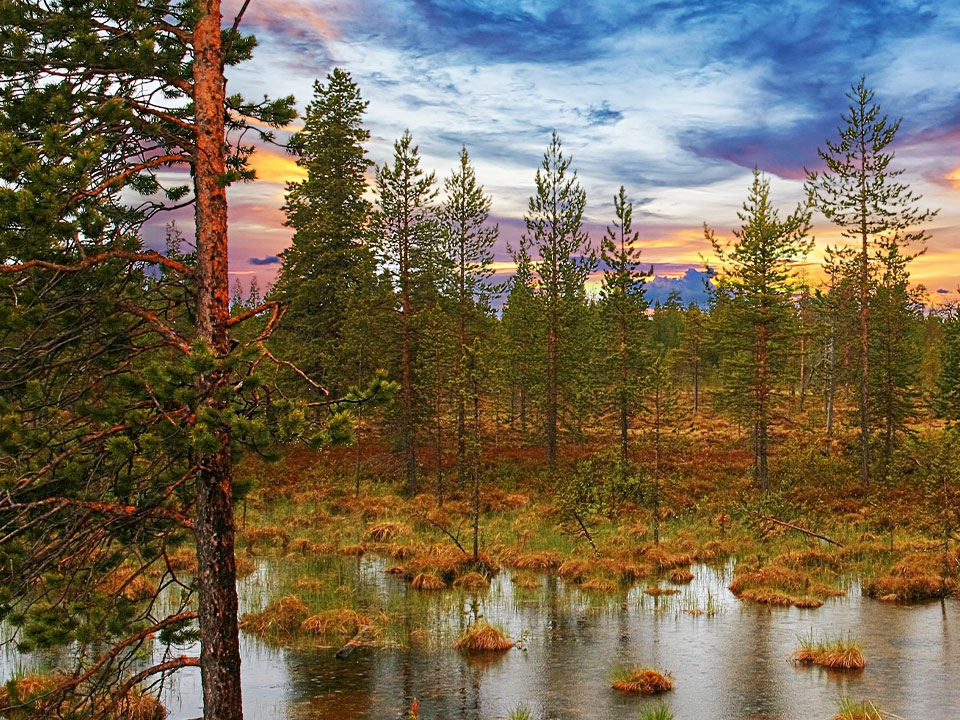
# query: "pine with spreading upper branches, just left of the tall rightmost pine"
(756, 285)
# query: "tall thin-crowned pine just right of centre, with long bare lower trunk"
(565, 258)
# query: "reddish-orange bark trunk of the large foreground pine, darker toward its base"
(214, 522)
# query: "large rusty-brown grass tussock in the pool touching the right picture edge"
(918, 576)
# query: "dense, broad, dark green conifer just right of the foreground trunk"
(328, 267)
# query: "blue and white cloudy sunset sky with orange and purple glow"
(675, 100)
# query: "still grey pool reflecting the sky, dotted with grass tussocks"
(733, 663)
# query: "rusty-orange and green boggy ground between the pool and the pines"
(816, 530)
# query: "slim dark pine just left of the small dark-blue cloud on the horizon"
(623, 301)
